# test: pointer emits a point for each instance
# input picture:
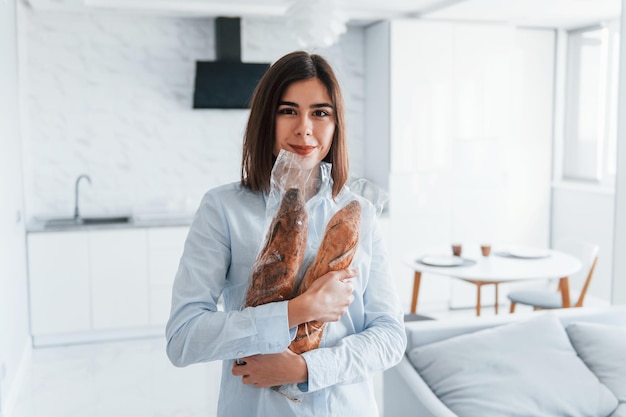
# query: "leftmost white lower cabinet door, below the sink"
(59, 283)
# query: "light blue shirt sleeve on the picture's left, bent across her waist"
(196, 331)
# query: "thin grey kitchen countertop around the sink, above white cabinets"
(39, 225)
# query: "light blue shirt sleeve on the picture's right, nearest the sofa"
(379, 346)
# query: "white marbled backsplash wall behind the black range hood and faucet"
(109, 95)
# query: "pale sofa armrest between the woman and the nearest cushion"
(407, 395)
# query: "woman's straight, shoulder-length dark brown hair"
(258, 157)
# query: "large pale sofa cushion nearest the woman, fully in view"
(527, 368)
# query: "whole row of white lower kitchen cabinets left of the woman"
(101, 284)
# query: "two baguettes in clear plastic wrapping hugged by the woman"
(300, 248)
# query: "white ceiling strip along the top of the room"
(541, 13)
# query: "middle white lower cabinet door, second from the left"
(119, 278)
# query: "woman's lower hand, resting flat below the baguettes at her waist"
(271, 370)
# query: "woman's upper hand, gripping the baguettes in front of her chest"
(326, 300)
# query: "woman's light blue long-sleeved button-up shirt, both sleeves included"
(224, 240)
